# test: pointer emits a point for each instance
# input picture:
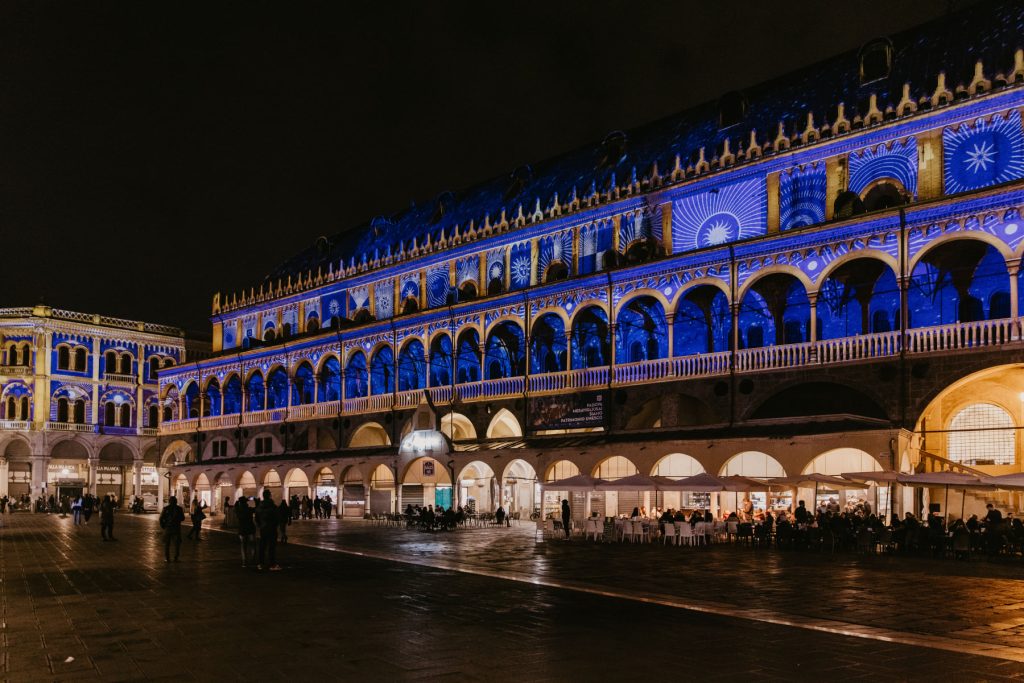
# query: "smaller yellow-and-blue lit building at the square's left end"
(79, 404)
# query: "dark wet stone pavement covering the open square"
(73, 607)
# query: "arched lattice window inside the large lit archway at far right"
(982, 435)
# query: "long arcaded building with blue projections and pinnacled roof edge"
(819, 274)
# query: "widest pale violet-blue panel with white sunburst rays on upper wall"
(710, 219)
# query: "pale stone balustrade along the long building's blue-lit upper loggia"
(941, 339)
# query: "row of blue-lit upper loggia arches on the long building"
(956, 281)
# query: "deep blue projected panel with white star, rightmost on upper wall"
(985, 154)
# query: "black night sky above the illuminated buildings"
(152, 154)
